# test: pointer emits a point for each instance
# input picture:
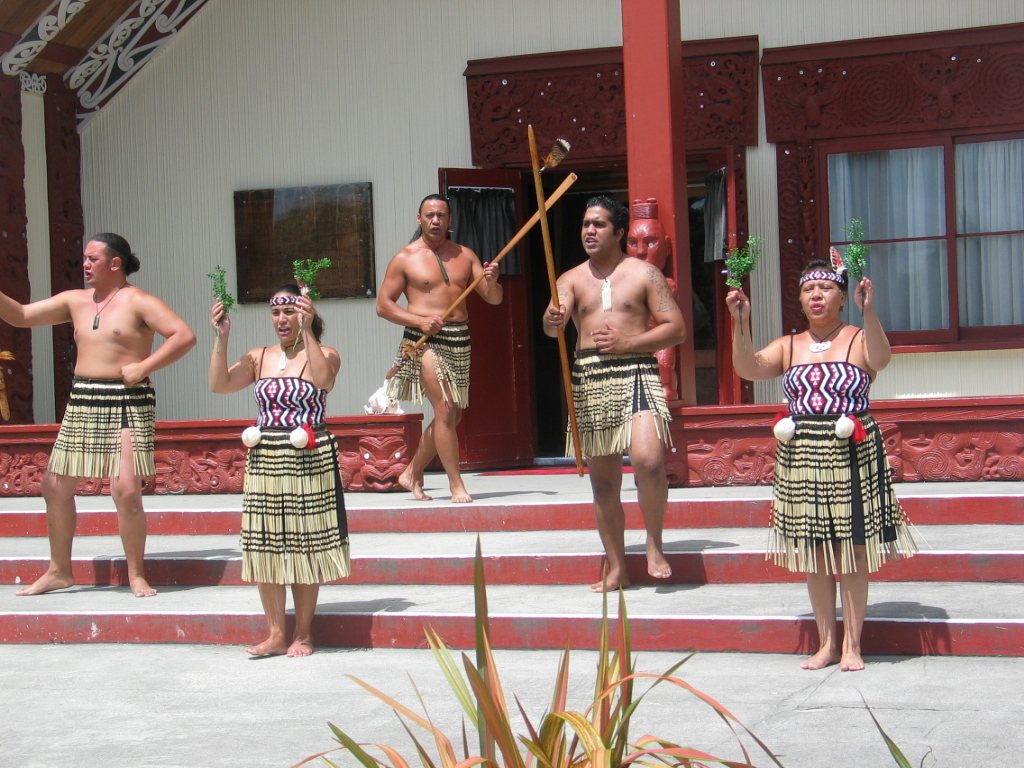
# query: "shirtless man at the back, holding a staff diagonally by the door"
(433, 272)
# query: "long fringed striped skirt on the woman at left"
(294, 530)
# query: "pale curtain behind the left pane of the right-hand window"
(900, 194)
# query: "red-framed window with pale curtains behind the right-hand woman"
(945, 221)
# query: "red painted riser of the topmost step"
(705, 514)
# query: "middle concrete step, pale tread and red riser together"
(951, 553)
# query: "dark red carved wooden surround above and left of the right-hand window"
(942, 81)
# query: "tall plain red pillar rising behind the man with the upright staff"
(656, 150)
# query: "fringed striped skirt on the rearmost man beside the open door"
(451, 354)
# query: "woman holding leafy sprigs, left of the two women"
(294, 530)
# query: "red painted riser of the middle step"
(689, 568)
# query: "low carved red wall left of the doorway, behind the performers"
(207, 457)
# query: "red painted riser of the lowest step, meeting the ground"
(765, 635)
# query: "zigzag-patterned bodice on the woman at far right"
(820, 389)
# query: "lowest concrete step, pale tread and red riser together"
(903, 619)
